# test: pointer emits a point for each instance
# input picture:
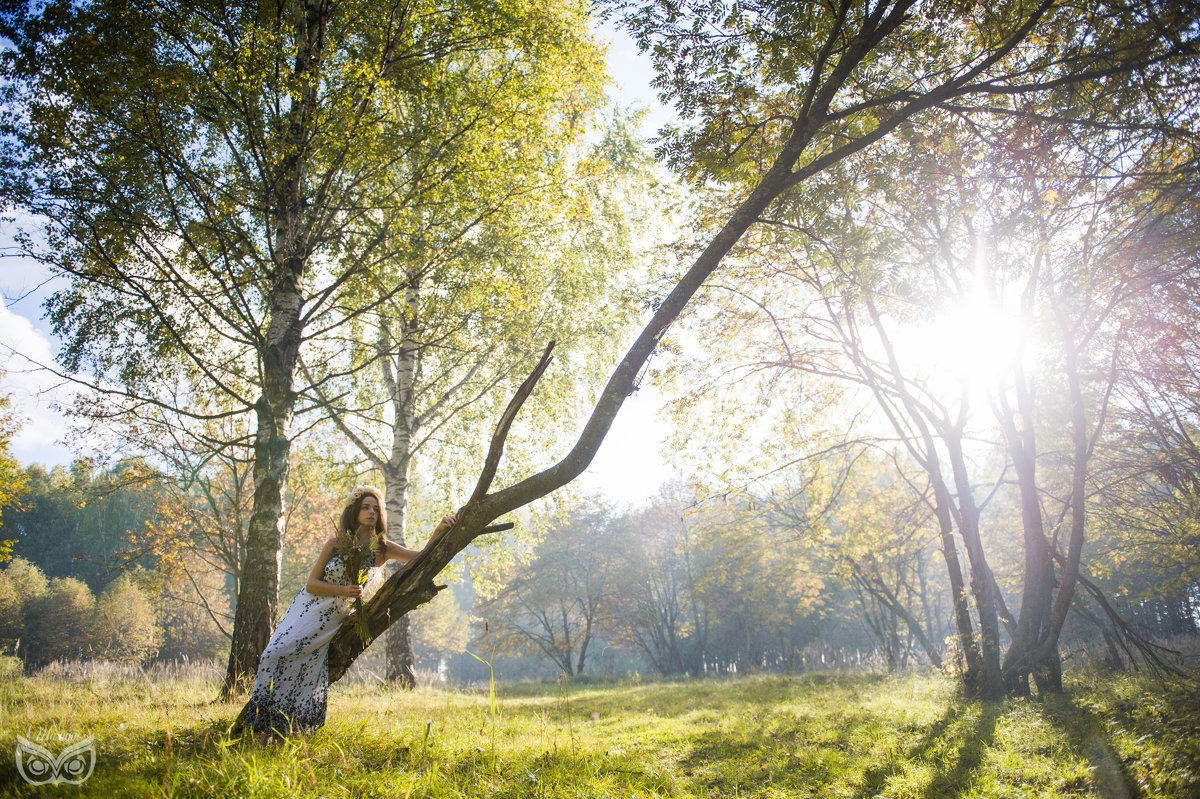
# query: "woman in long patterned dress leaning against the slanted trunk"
(292, 684)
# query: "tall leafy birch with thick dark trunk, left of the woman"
(212, 176)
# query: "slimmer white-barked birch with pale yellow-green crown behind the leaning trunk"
(483, 287)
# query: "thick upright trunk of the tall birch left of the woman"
(260, 591)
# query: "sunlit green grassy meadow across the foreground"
(819, 735)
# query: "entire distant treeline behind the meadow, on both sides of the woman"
(109, 566)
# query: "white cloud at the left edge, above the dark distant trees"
(34, 392)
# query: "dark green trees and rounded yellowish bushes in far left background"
(86, 581)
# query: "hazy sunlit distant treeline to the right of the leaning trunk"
(727, 586)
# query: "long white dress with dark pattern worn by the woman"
(292, 684)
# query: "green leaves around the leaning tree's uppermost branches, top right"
(753, 80)
